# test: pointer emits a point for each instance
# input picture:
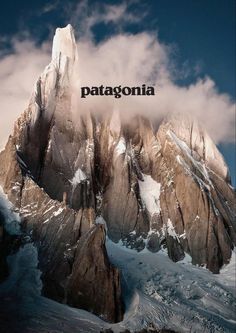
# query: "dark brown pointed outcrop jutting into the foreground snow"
(93, 278)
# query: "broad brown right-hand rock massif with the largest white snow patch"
(174, 193)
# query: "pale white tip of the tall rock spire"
(64, 43)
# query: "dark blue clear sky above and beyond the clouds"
(201, 34)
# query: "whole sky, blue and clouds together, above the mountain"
(186, 46)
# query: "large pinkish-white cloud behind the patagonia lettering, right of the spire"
(131, 60)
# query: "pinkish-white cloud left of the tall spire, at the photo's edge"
(18, 73)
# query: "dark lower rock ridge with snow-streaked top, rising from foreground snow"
(72, 254)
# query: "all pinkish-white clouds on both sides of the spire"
(123, 59)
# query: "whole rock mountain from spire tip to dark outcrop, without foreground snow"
(155, 185)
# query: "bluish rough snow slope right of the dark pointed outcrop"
(177, 296)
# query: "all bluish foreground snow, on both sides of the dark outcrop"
(178, 296)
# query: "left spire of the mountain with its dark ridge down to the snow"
(38, 165)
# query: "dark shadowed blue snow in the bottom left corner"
(23, 309)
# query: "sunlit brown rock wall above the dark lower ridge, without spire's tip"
(194, 206)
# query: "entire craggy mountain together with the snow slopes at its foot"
(162, 190)
